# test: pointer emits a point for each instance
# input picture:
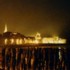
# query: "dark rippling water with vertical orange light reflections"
(34, 58)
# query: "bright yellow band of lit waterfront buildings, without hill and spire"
(36, 40)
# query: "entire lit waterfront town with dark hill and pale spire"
(11, 38)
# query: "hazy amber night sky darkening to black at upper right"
(49, 17)
